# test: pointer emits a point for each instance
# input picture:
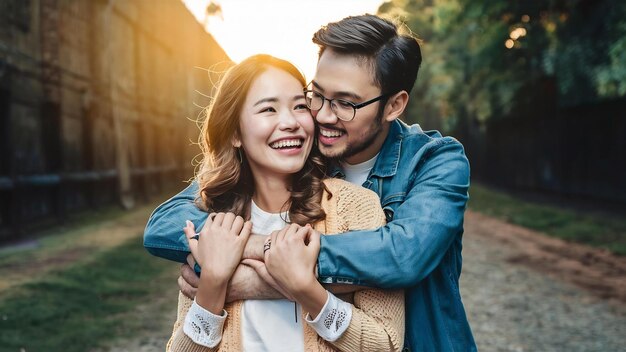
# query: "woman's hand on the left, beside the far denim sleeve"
(219, 247)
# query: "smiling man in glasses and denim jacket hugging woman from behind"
(365, 72)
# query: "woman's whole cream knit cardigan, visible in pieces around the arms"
(377, 316)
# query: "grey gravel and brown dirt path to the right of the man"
(526, 292)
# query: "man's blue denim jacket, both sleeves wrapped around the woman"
(422, 180)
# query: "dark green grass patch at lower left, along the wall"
(82, 306)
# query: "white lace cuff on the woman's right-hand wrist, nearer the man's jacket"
(333, 319)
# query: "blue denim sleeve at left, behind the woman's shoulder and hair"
(163, 236)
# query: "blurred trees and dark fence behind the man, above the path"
(535, 90)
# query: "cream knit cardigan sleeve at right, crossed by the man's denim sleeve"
(377, 322)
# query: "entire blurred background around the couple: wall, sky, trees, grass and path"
(99, 102)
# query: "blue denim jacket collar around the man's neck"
(388, 158)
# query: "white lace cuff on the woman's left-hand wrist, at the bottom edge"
(204, 327)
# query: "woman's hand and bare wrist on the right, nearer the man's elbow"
(291, 260)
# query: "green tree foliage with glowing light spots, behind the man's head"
(487, 59)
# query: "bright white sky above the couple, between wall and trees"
(282, 28)
